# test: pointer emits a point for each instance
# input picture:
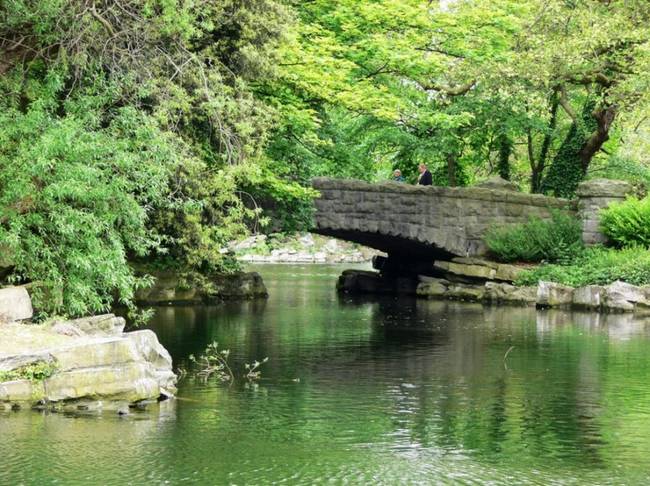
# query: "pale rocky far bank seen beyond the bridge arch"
(299, 248)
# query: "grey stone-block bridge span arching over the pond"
(420, 222)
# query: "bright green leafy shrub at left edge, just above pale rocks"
(75, 197)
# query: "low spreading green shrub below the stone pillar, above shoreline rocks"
(596, 266)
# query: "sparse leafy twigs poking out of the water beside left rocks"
(213, 363)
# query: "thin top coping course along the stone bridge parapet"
(471, 192)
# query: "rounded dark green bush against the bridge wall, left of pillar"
(555, 240)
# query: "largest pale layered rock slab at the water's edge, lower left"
(128, 368)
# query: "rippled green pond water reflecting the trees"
(368, 391)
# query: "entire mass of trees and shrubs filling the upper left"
(124, 130)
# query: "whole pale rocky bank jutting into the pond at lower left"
(87, 364)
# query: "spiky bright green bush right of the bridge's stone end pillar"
(627, 223)
